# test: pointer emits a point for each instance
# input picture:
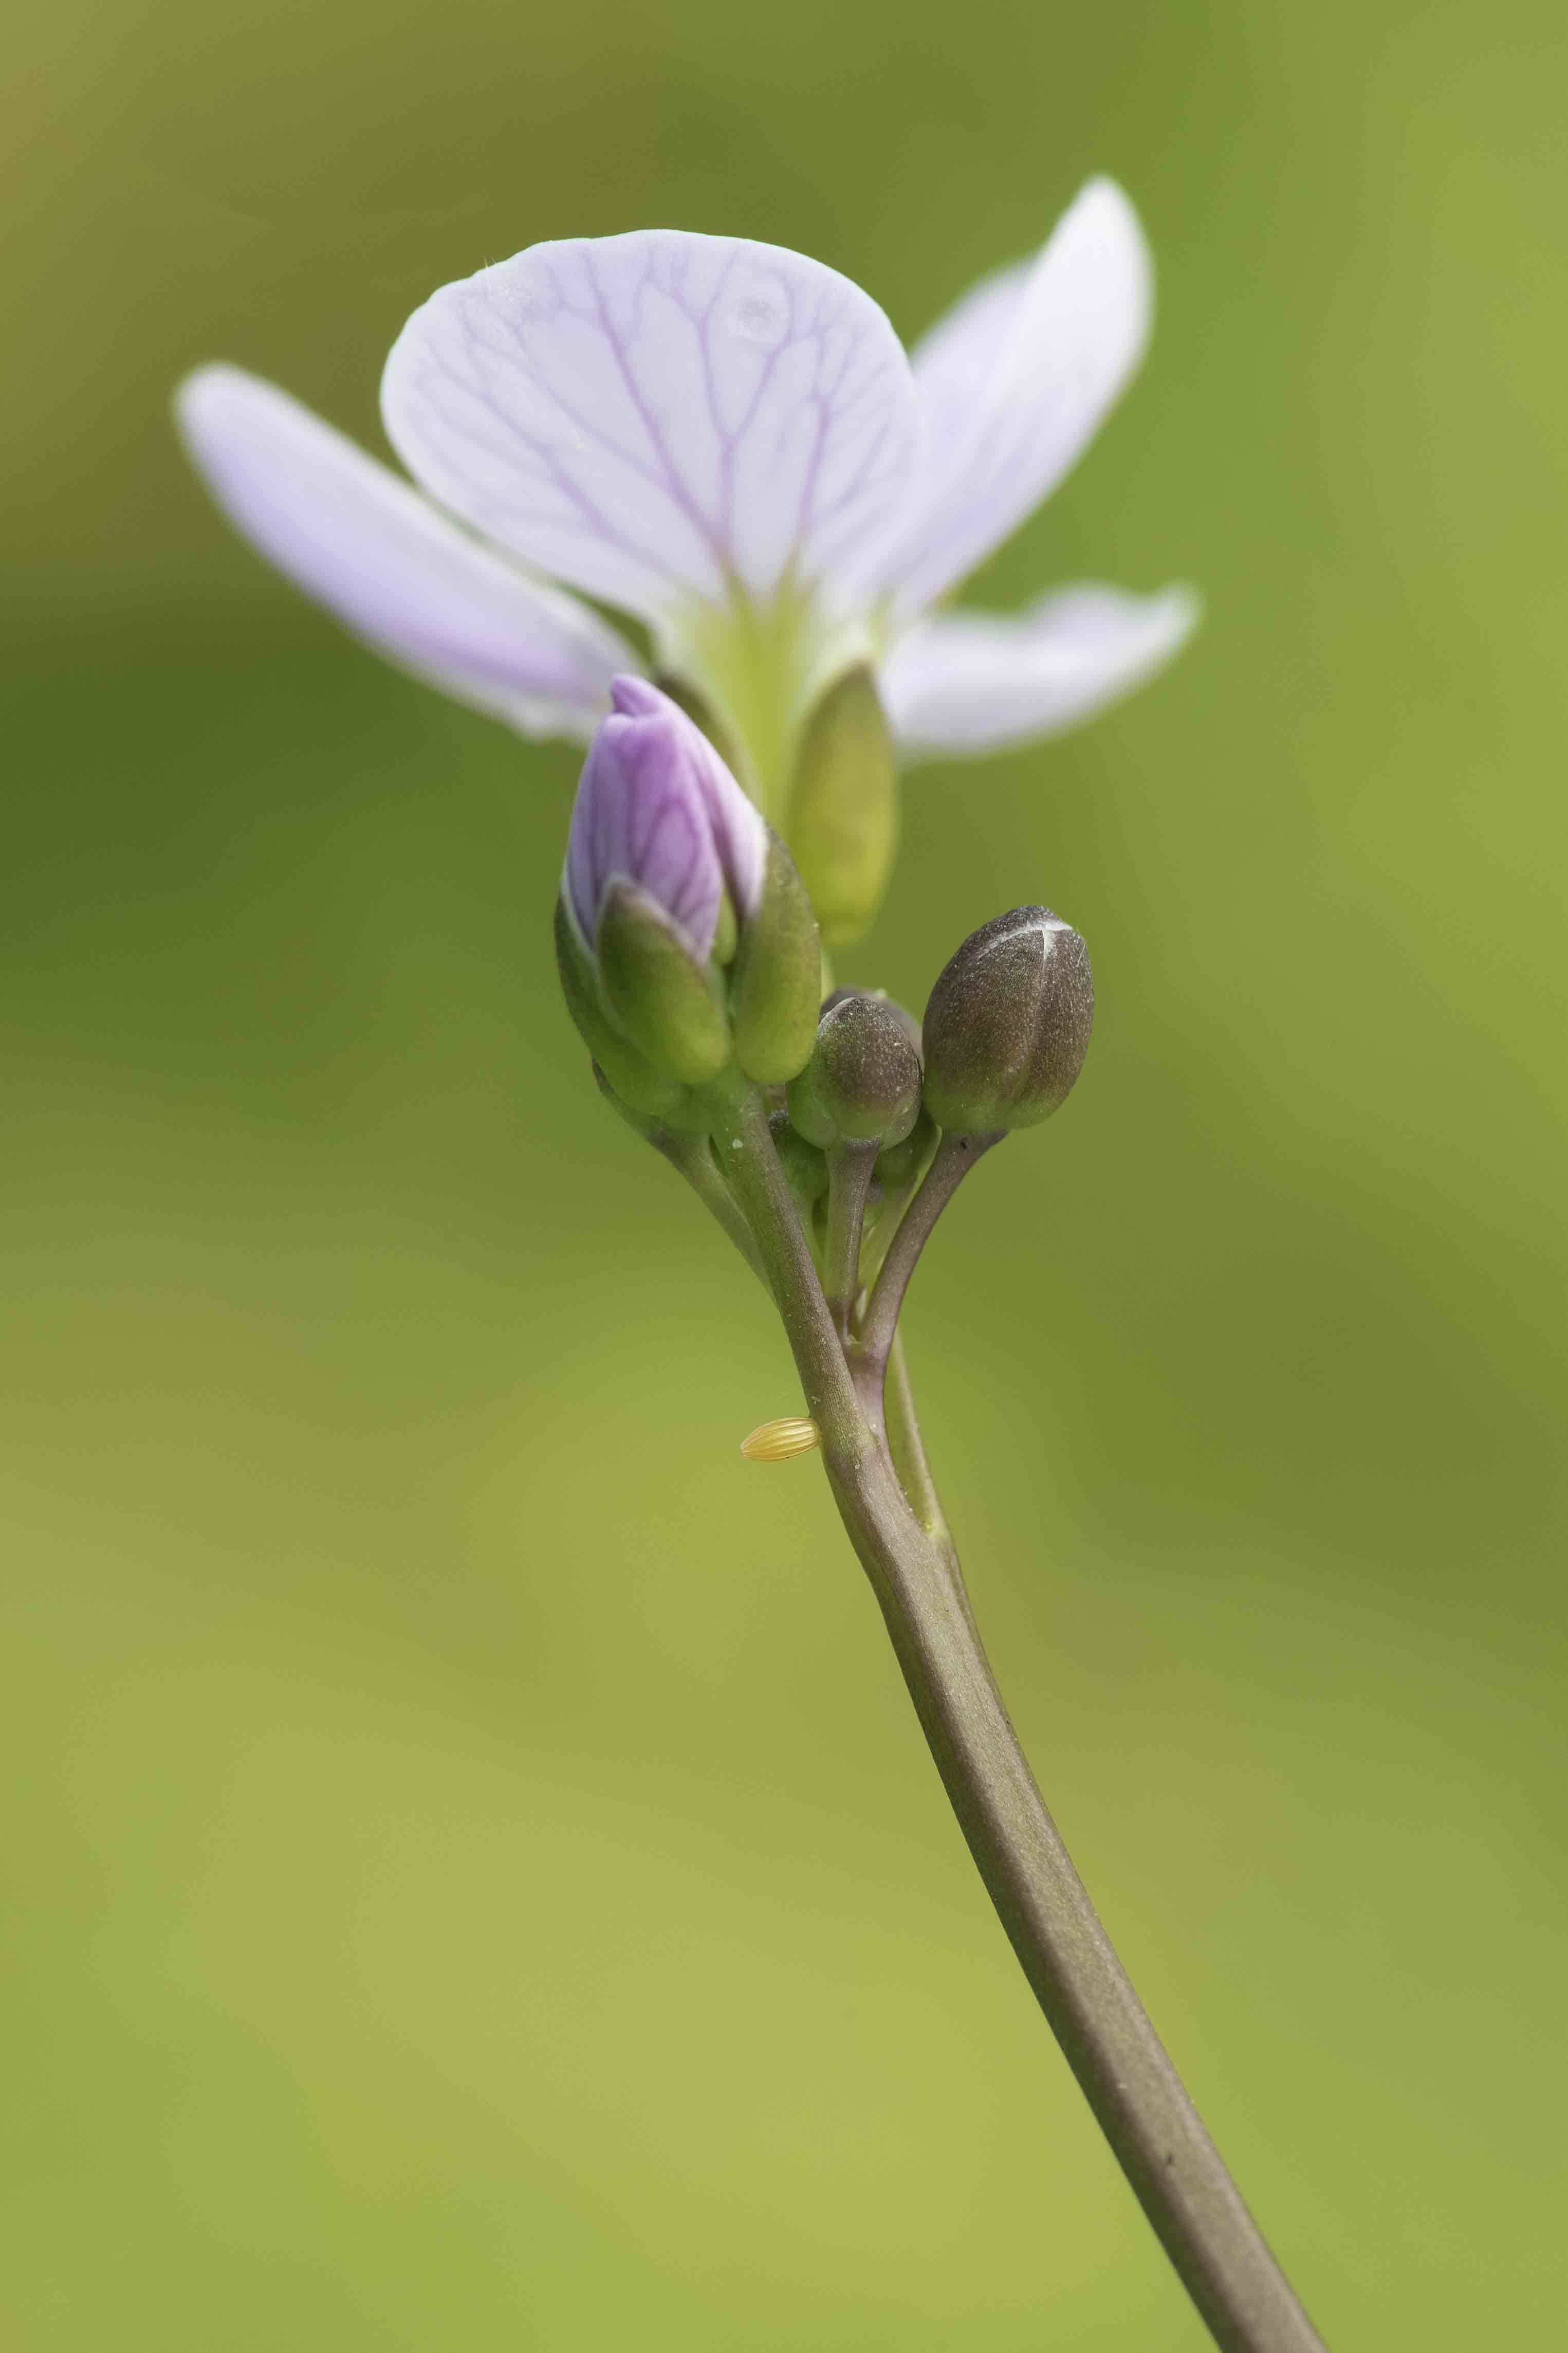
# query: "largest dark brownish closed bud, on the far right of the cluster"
(1007, 1027)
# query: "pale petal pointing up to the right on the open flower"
(1014, 385)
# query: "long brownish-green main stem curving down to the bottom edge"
(1123, 2069)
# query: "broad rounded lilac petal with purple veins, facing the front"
(662, 418)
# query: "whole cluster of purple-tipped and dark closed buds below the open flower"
(692, 966)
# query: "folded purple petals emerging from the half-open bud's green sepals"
(659, 811)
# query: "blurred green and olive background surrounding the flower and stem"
(474, 1872)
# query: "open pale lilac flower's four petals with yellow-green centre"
(728, 444)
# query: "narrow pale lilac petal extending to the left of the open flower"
(387, 564)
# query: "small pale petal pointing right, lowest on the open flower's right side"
(977, 681)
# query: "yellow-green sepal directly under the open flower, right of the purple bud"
(843, 813)
